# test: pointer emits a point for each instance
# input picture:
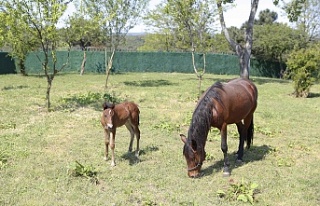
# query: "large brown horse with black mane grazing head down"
(222, 104)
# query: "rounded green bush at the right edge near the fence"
(303, 69)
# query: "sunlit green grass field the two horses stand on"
(39, 149)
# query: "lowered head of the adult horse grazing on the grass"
(193, 157)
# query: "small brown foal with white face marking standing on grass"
(114, 116)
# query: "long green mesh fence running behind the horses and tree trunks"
(149, 62)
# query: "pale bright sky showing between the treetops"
(233, 17)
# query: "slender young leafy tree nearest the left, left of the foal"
(39, 20)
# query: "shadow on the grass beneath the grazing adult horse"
(255, 153)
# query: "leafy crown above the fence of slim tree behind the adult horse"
(180, 24)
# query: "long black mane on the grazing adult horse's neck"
(202, 115)
